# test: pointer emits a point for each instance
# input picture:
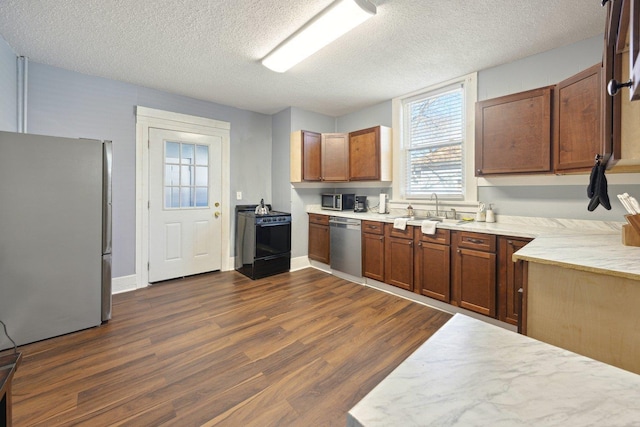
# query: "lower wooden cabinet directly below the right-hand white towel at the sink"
(432, 261)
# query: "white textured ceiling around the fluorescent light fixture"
(211, 49)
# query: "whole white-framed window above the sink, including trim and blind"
(436, 141)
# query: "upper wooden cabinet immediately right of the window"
(513, 133)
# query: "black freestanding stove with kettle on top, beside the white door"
(263, 241)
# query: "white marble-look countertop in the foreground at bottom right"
(471, 373)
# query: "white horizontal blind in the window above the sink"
(434, 141)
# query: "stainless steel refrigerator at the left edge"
(55, 235)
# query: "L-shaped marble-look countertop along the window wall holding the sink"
(594, 246)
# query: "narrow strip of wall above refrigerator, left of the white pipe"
(8, 88)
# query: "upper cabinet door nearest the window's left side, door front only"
(364, 154)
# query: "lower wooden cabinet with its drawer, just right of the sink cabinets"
(474, 278)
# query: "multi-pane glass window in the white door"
(185, 184)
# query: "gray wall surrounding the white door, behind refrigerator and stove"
(65, 103)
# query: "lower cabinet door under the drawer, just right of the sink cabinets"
(476, 281)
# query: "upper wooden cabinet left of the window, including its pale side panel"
(370, 154)
